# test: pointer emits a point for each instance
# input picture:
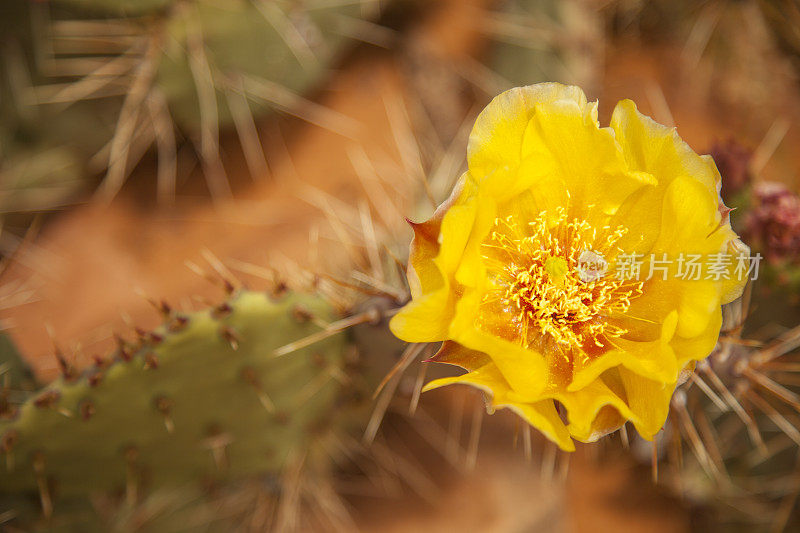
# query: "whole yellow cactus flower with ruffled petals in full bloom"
(556, 272)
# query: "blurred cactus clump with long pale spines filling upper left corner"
(131, 76)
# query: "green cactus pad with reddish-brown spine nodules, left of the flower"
(242, 389)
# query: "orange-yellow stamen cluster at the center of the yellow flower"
(549, 278)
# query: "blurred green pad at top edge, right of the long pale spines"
(241, 39)
